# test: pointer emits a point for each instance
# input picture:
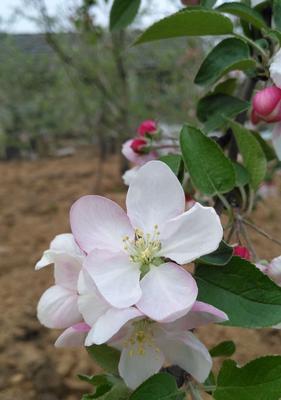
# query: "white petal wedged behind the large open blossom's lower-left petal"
(90, 302)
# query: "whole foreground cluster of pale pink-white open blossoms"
(119, 277)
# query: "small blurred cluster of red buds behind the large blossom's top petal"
(149, 144)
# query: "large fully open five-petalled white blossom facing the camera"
(133, 258)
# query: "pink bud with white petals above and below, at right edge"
(267, 103)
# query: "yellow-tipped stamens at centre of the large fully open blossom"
(143, 249)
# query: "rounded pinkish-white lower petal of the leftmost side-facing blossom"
(57, 308)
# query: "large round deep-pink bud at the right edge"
(267, 105)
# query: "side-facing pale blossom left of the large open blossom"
(58, 306)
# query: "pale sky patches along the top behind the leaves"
(23, 24)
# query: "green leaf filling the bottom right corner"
(260, 379)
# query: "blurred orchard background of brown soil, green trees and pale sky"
(71, 93)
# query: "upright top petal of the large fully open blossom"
(154, 196)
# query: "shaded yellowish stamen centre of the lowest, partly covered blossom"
(141, 339)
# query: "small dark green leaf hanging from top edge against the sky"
(123, 13)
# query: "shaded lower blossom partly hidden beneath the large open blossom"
(147, 345)
